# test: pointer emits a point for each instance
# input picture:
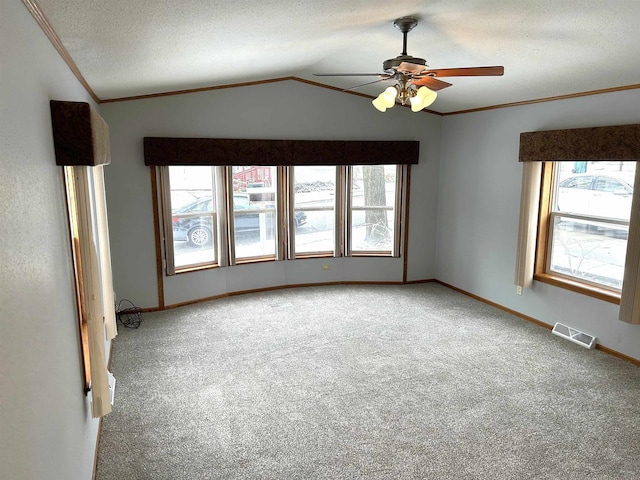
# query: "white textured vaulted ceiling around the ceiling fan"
(547, 47)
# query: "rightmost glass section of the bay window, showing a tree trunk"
(373, 194)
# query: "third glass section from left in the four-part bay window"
(314, 209)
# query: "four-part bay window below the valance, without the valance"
(221, 216)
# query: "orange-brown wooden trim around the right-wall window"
(543, 247)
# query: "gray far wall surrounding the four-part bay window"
(284, 110)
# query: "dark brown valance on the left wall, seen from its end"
(80, 135)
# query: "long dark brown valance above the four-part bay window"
(232, 151)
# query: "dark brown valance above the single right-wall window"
(620, 142)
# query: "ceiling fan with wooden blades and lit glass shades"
(416, 82)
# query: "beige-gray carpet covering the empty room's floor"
(380, 382)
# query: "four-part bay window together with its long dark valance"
(222, 202)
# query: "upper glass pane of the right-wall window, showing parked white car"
(600, 189)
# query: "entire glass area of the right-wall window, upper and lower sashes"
(590, 223)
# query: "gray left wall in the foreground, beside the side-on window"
(45, 427)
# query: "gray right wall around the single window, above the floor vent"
(479, 201)
